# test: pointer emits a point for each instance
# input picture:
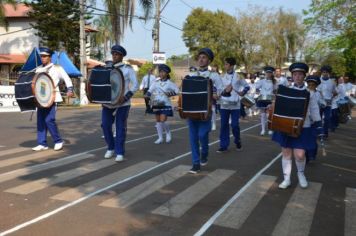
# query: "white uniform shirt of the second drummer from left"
(131, 83)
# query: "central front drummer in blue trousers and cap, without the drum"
(199, 130)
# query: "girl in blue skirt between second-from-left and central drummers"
(160, 91)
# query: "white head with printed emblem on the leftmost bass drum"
(43, 89)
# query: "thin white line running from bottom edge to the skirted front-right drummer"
(206, 226)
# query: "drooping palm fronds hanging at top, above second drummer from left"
(122, 13)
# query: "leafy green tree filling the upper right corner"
(334, 24)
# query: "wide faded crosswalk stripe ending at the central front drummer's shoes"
(141, 191)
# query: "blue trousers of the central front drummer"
(199, 136)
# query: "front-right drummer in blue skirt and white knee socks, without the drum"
(297, 146)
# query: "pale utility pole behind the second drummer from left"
(83, 56)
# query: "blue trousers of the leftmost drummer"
(46, 120)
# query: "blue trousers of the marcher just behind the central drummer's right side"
(225, 129)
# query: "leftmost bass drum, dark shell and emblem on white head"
(34, 90)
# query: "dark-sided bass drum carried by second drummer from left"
(106, 85)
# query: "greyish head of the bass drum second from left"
(117, 86)
